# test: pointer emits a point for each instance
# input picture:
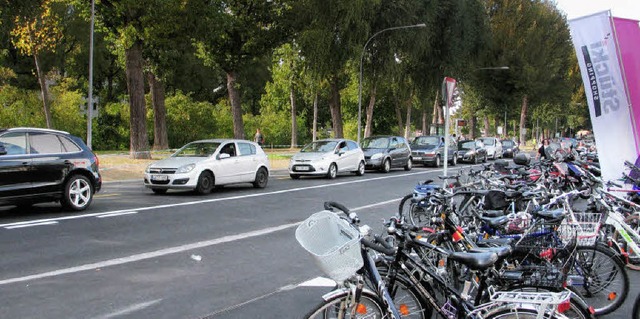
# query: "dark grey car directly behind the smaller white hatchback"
(386, 152)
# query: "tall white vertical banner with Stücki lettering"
(594, 41)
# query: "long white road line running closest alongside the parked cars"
(218, 199)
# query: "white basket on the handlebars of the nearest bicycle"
(333, 243)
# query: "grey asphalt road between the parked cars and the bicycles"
(229, 254)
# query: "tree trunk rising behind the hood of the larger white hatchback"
(160, 135)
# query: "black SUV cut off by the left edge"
(41, 165)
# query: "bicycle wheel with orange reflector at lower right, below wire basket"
(600, 277)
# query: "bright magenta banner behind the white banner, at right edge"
(628, 38)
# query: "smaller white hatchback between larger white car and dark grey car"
(328, 157)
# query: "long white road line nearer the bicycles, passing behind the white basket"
(162, 252)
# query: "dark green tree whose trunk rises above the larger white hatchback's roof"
(233, 33)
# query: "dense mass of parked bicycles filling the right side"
(547, 239)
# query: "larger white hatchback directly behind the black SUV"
(203, 165)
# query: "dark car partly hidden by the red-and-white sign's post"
(429, 150)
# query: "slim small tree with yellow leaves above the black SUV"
(34, 32)
